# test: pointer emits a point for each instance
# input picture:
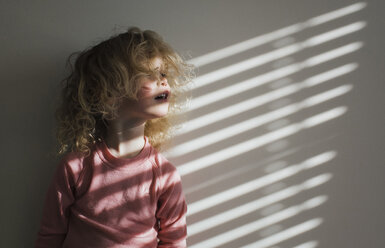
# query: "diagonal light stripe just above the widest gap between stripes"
(259, 141)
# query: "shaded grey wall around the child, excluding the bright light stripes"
(37, 36)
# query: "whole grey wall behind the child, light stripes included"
(312, 175)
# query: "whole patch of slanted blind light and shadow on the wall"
(248, 183)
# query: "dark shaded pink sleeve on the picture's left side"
(59, 197)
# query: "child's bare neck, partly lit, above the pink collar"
(125, 139)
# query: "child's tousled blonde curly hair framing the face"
(103, 75)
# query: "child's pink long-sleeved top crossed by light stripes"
(104, 201)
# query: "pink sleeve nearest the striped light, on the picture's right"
(172, 208)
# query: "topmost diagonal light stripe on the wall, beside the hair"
(263, 39)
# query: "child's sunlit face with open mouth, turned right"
(153, 96)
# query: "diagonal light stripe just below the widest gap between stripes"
(258, 183)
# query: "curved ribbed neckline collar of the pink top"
(124, 163)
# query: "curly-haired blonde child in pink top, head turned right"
(113, 188)
